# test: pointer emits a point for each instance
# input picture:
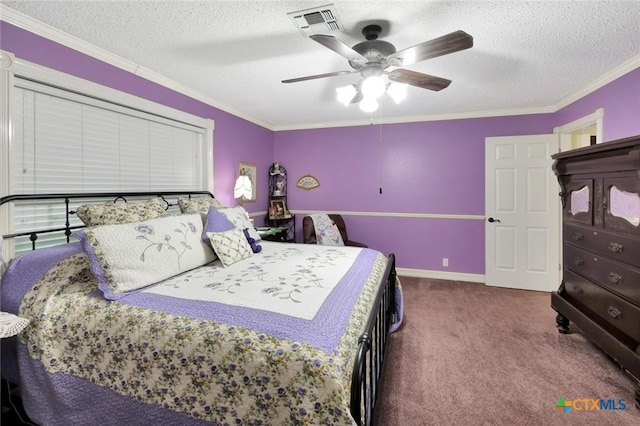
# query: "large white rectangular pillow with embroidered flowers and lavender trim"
(128, 257)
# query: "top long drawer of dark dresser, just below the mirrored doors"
(614, 246)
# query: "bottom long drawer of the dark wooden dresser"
(616, 311)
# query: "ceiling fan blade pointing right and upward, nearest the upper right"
(449, 43)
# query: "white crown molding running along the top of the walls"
(40, 28)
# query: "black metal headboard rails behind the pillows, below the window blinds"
(94, 196)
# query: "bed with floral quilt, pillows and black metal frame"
(289, 334)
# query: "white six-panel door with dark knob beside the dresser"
(522, 213)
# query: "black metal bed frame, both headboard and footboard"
(373, 344)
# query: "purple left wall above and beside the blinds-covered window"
(235, 139)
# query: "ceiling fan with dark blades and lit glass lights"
(372, 57)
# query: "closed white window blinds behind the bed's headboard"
(64, 142)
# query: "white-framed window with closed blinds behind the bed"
(65, 142)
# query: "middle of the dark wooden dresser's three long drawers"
(618, 277)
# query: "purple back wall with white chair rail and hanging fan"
(430, 167)
